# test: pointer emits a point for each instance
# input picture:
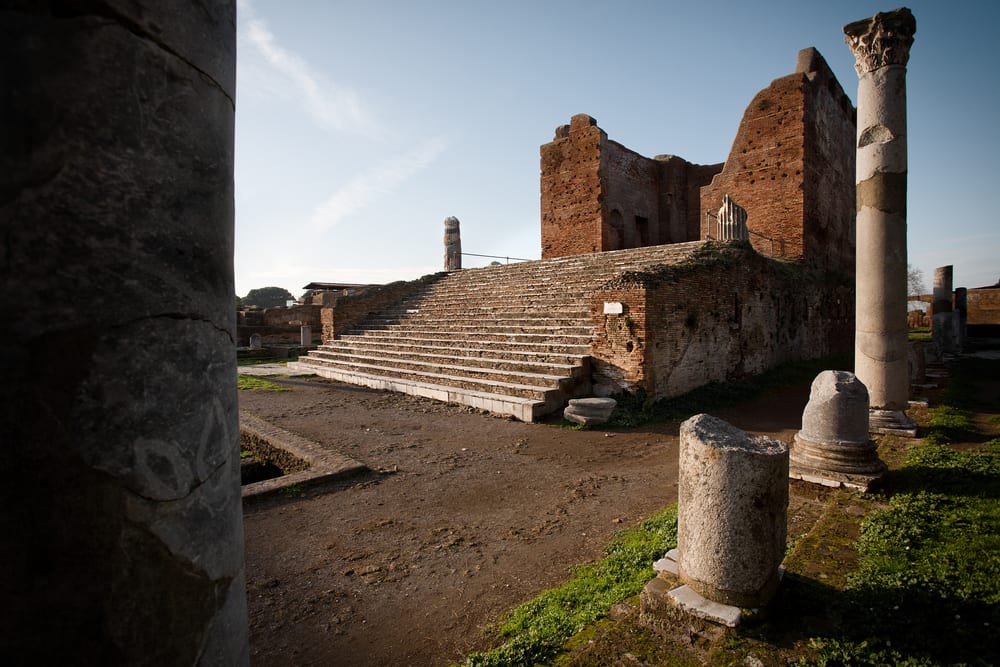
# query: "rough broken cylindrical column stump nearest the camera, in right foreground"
(732, 502)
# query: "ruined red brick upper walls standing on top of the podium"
(791, 167)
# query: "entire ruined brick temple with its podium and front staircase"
(635, 291)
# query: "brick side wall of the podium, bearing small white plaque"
(731, 314)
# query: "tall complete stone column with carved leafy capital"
(881, 47)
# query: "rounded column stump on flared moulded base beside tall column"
(834, 448)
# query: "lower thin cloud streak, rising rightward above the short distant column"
(378, 182)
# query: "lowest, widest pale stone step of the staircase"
(524, 409)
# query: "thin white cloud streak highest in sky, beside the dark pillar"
(333, 107)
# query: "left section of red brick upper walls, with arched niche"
(598, 195)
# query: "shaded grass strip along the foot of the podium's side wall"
(635, 409)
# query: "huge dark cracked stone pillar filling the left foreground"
(121, 513)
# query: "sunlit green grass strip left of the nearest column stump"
(536, 631)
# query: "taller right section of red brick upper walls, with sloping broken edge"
(791, 167)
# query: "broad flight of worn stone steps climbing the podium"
(512, 339)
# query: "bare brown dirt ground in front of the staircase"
(463, 516)
